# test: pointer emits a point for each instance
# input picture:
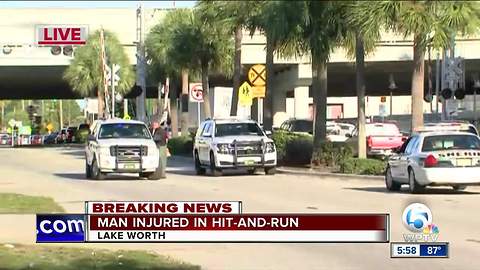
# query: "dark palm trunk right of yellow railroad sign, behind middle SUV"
(268, 102)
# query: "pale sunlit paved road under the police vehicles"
(58, 172)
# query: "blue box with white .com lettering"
(60, 228)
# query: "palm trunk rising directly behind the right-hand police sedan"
(417, 84)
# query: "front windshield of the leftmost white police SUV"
(124, 131)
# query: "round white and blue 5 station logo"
(416, 217)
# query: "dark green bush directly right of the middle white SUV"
(293, 148)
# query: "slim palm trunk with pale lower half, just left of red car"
(360, 84)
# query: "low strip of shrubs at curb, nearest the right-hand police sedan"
(362, 166)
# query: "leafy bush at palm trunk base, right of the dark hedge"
(331, 154)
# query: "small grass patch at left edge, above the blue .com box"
(12, 203)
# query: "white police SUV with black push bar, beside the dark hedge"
(233, 143)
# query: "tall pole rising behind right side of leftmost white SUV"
(141, 65)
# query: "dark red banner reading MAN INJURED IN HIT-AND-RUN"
(238, 222)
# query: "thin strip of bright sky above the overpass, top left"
(94, 4)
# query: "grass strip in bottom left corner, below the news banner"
(56, 258)
